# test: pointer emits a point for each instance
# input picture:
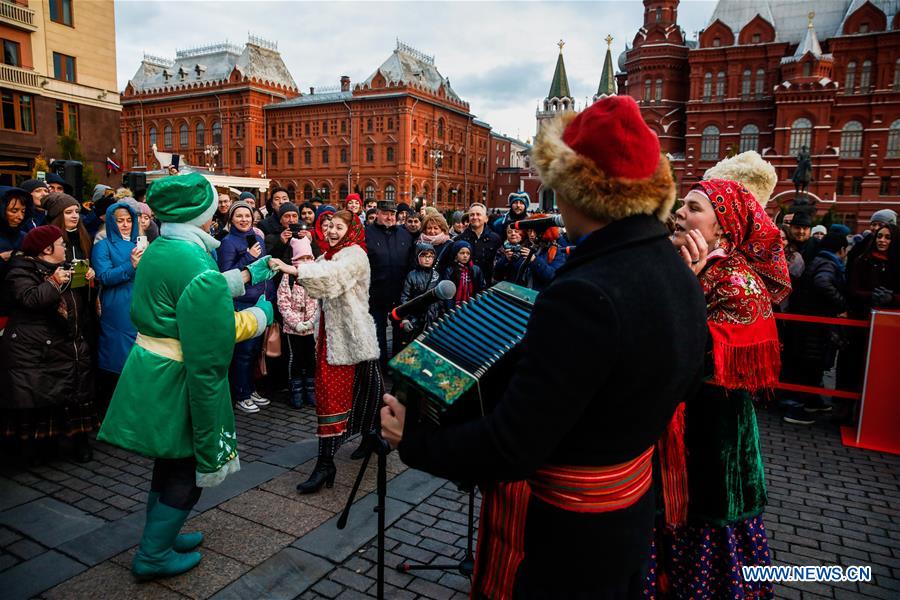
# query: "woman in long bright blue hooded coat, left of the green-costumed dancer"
(116, 258)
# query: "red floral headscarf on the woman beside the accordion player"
(750, 231)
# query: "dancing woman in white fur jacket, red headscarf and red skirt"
(346, 340)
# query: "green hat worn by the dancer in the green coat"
(182, 199)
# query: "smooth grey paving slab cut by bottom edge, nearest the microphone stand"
(284, 575)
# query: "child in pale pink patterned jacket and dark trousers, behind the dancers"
(299, 313)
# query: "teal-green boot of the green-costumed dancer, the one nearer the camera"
(155, 557)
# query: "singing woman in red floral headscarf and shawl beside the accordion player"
(700, 555)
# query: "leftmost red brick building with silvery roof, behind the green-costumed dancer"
(206, 105)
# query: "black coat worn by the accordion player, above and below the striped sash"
(614, 343)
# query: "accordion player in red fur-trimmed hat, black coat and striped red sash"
(565, 459)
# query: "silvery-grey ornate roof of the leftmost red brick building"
(259, 59)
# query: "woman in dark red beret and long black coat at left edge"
(45, 361)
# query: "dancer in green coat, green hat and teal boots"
(172, 402)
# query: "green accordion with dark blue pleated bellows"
(459, 367)
